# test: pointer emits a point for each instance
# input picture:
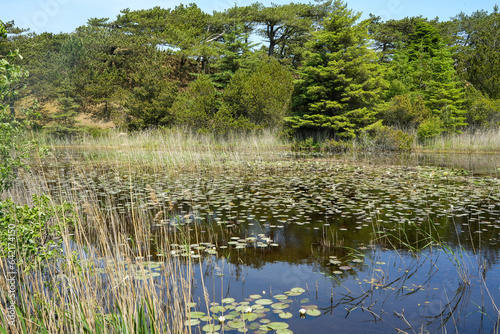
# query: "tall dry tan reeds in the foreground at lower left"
(98, 285)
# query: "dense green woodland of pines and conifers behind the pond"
(303, 69)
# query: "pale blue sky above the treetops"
(66, 15)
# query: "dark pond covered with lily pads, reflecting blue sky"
(306, 242)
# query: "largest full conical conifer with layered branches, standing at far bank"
(340, 80)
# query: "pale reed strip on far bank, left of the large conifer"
(173, 149)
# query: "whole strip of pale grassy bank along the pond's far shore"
(183, 144)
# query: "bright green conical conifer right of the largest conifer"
(424, 67)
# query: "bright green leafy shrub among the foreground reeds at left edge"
(33, 232)
